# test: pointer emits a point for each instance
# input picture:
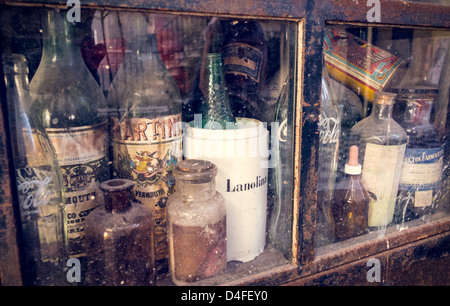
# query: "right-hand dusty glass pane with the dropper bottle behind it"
(390, 86)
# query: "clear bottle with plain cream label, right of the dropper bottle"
(382, 143)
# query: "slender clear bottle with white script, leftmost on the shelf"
(39, 183)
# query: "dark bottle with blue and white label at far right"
(423, 162)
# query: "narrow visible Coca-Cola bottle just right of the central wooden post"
(329, 127)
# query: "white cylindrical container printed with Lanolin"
(241, 156)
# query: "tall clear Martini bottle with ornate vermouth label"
(146, 132)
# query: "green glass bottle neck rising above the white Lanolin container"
(216, 111)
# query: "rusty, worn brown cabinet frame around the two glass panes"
(417, 248)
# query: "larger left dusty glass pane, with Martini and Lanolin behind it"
(156, 87)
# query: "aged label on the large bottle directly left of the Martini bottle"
(82, 155)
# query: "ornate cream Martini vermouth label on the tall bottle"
(146, 150)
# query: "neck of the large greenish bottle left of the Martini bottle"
(59, 42)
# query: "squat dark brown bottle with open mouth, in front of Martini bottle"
(120, 239)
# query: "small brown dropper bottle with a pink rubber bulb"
(351, 201)
